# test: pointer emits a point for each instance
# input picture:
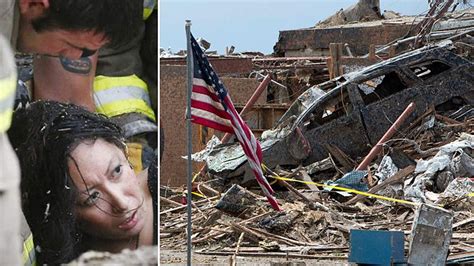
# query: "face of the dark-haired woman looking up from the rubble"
(110, 201)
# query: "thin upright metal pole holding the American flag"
(189, 60)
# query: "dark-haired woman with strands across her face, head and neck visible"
(79, 192)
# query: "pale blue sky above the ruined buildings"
(253, 25)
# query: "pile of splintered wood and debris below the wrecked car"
(316, 219)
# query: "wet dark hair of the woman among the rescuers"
(43, 135)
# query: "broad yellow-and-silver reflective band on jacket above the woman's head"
(115, 96)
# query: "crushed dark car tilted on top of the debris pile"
(353, 111)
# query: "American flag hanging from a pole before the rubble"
(211, 107)
